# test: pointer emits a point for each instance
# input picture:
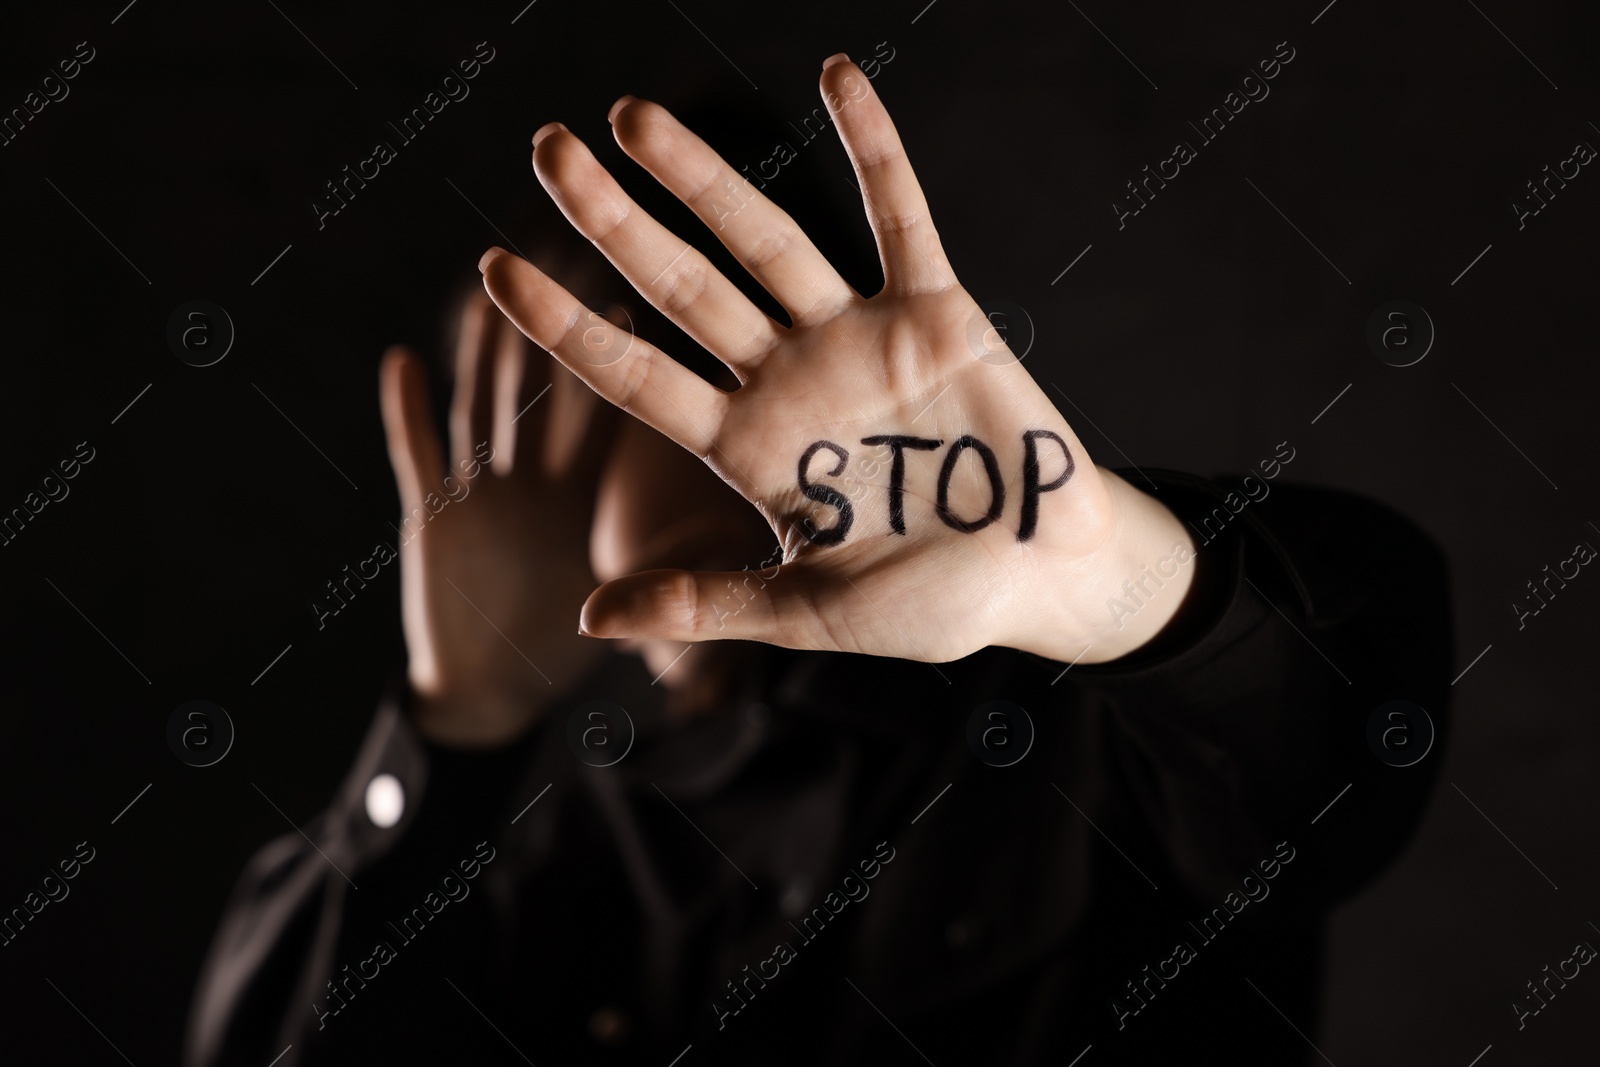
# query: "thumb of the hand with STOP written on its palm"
(761, 605)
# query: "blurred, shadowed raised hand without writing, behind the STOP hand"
(497, 565)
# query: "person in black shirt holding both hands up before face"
(956, 746)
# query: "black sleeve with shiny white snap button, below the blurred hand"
(287, 927)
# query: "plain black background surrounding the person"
(1198, 338)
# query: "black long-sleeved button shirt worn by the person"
(830, 871)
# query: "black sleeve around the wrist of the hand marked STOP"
(1250, 719)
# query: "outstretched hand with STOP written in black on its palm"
(927, 495)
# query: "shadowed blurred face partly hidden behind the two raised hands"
(662, 508)
